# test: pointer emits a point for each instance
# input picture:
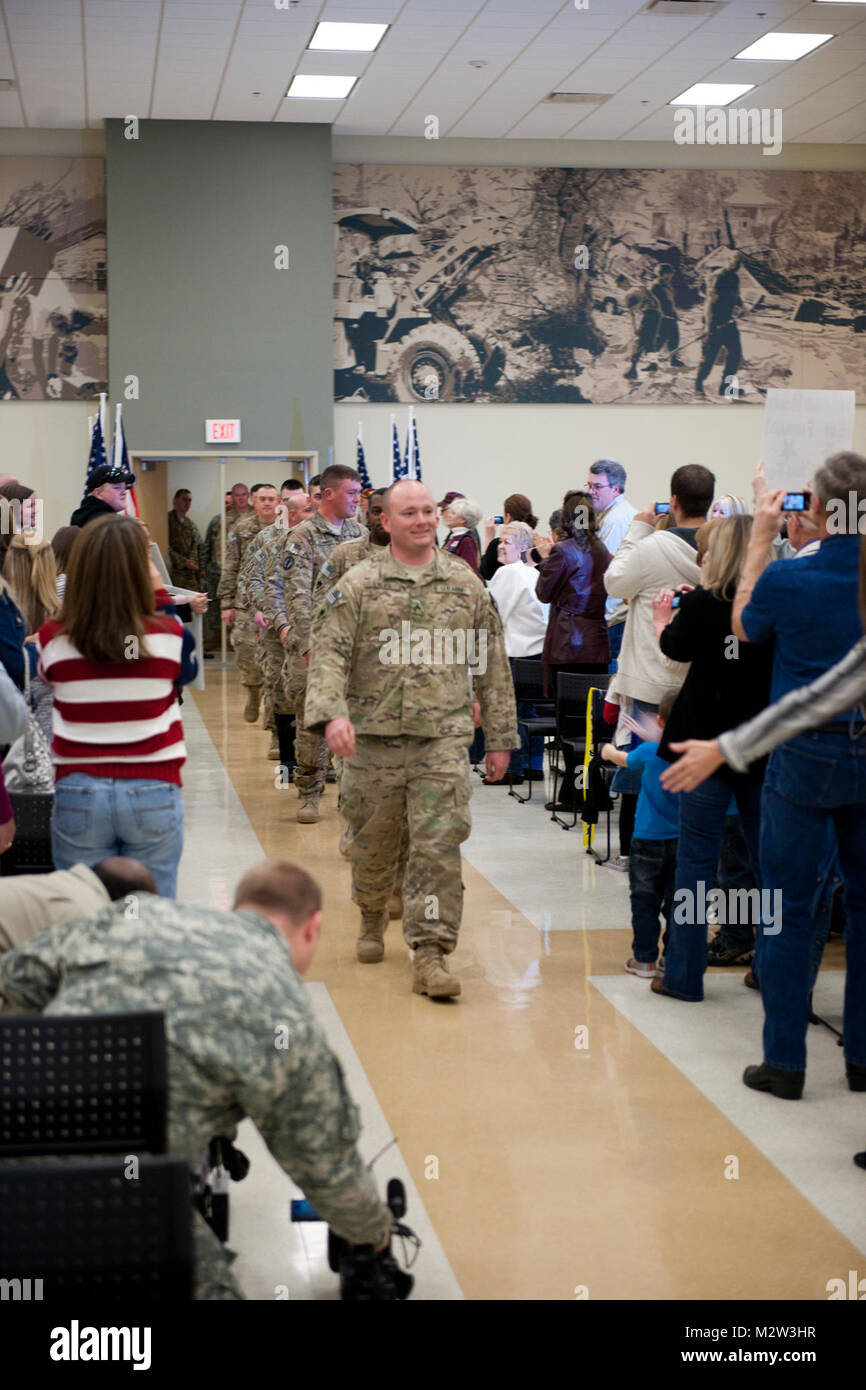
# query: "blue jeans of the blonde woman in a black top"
(703, 817)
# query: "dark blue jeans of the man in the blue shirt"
(811, 782)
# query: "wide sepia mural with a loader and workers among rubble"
(597, 286)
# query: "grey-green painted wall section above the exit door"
(198, 309)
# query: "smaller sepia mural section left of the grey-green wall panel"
(54, 344)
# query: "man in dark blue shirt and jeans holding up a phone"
(810, 610)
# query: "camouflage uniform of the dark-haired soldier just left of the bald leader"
(288, 593)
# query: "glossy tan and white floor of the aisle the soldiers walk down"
(561, 1167)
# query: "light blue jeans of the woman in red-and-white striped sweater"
(97, 818)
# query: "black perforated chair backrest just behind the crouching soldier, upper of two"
(83, 1084)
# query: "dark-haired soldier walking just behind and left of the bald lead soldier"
(291, 579)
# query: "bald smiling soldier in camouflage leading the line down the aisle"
(394, 647)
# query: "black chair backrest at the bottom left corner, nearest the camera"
(88, 1229)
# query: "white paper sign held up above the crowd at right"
(801, 429)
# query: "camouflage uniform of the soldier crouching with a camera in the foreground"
(231, 999)
